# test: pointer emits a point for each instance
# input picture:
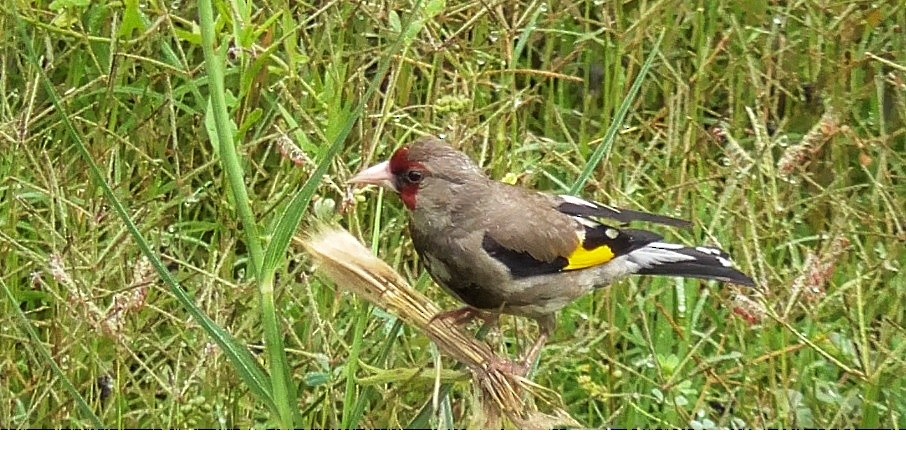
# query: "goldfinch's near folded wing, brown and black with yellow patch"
(531, 235)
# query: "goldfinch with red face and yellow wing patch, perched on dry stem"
(505, 249)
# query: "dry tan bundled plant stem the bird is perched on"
(355, 268)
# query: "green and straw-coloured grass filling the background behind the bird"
(148, 279)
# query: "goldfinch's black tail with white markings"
(701, 262)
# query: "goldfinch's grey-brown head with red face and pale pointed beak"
(429, 168)
